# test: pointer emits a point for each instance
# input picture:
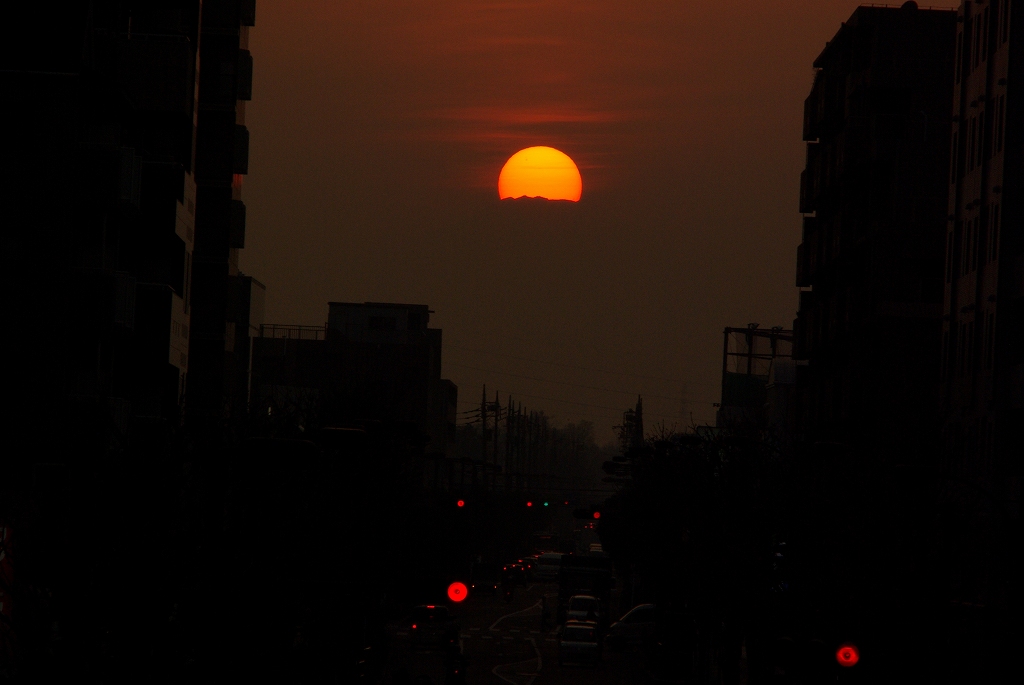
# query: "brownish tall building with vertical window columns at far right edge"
(983, 391)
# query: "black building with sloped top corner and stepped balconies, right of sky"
(874, 200)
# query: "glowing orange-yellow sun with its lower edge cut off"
(540, 173)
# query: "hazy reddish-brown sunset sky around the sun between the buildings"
(379, 129)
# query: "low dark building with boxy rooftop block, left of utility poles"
(372, 364)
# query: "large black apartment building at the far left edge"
(100, 106)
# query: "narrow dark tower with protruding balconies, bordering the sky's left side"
(224, 297)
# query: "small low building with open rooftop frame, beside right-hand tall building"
(749, 358)
